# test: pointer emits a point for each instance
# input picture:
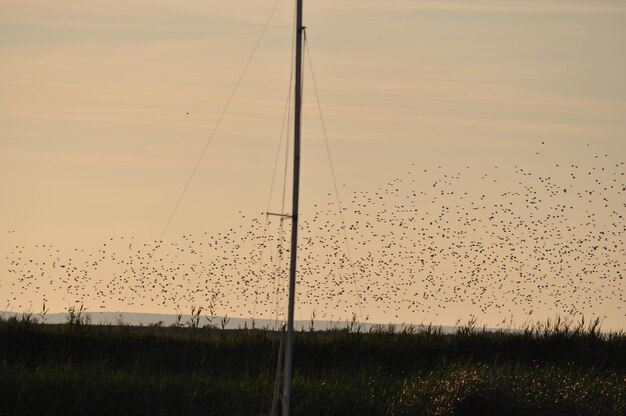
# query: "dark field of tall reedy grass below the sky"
(78, 369)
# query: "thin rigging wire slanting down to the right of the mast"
(334, 177)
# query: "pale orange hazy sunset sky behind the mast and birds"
(106, 107)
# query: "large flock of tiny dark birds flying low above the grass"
(490, 242)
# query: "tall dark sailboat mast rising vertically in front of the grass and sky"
(294, 211)
